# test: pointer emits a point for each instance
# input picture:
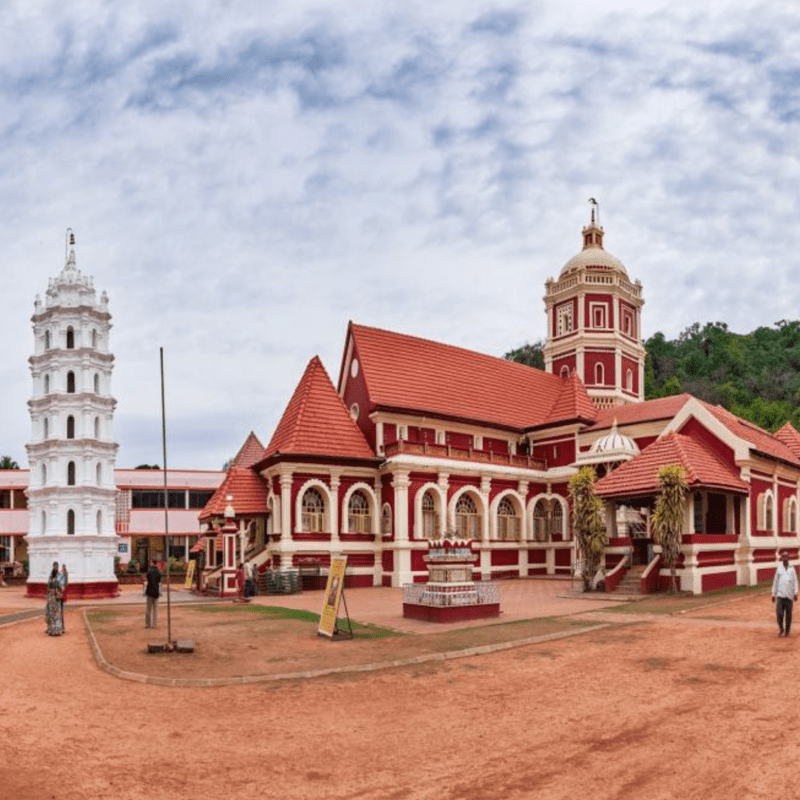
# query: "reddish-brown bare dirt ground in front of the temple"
(699, 704)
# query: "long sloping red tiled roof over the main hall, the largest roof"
(425, 377)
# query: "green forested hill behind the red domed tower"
(755, 375)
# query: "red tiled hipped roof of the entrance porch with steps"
(639, 476)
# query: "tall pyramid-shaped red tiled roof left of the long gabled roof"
(316, 421)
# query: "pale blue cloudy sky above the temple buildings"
(245, 177)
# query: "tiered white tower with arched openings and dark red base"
(72, 491)
